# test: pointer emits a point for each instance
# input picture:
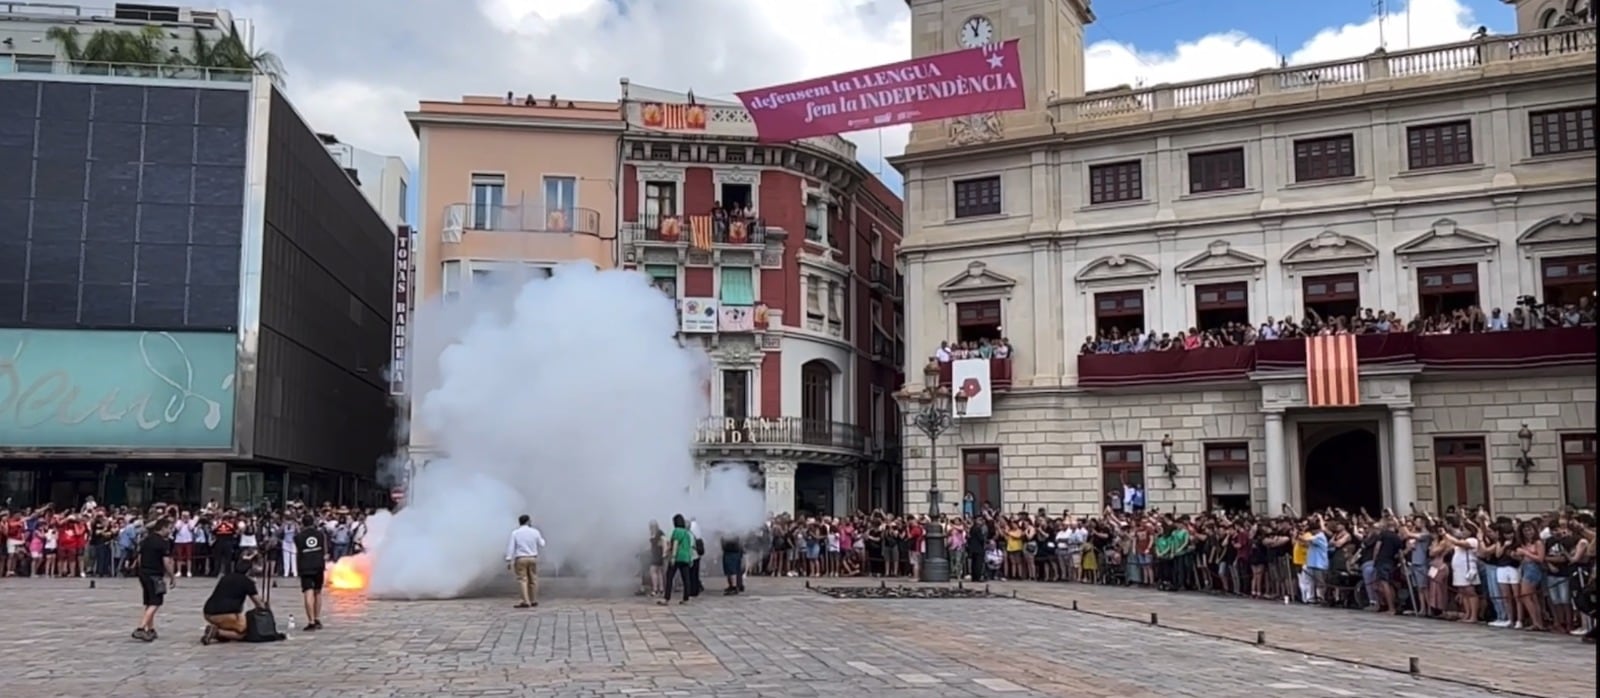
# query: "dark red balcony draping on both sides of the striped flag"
(1492, 351)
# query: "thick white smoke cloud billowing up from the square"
(567, 399)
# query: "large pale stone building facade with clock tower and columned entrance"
(1410, 182)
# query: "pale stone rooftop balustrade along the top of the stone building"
(1324, 81)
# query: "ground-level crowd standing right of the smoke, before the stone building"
(1532, 574)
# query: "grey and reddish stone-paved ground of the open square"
(63, 640)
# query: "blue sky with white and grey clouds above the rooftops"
(356, 66)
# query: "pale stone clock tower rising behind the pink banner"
(1050, 36)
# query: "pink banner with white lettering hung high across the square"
(958, 84)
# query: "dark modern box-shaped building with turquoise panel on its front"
(194, 299)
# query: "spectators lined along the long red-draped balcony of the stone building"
(1524, 316)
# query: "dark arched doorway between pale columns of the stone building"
(1345, 470)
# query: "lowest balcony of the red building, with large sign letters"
(815, 441)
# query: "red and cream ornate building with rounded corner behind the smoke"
(783, 262)
